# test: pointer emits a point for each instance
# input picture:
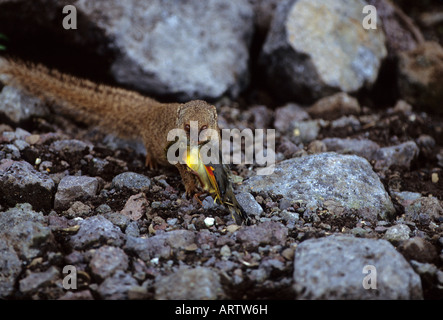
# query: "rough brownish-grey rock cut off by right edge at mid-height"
(424, 209)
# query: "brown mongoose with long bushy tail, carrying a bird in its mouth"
(125, 112)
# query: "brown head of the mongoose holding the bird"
(196, 116)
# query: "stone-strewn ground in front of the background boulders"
(368, 184)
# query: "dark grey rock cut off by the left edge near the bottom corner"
(10, 268)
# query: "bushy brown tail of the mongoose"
(113, 108)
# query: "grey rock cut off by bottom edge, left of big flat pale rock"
(189, 284)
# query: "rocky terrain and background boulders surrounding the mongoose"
(353, 209)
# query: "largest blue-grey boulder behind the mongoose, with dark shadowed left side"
(180, 49)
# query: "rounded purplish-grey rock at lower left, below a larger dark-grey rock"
(106, 260)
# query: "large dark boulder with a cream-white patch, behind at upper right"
(302, 32)
